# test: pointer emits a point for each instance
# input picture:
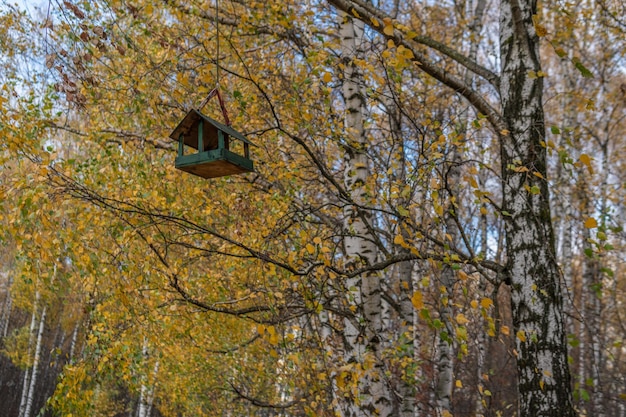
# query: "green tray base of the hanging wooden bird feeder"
(215, 163)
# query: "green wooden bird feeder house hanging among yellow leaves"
(221, 150)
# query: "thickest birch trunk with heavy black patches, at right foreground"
(537, 304)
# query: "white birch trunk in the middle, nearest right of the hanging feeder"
(362, 333)
